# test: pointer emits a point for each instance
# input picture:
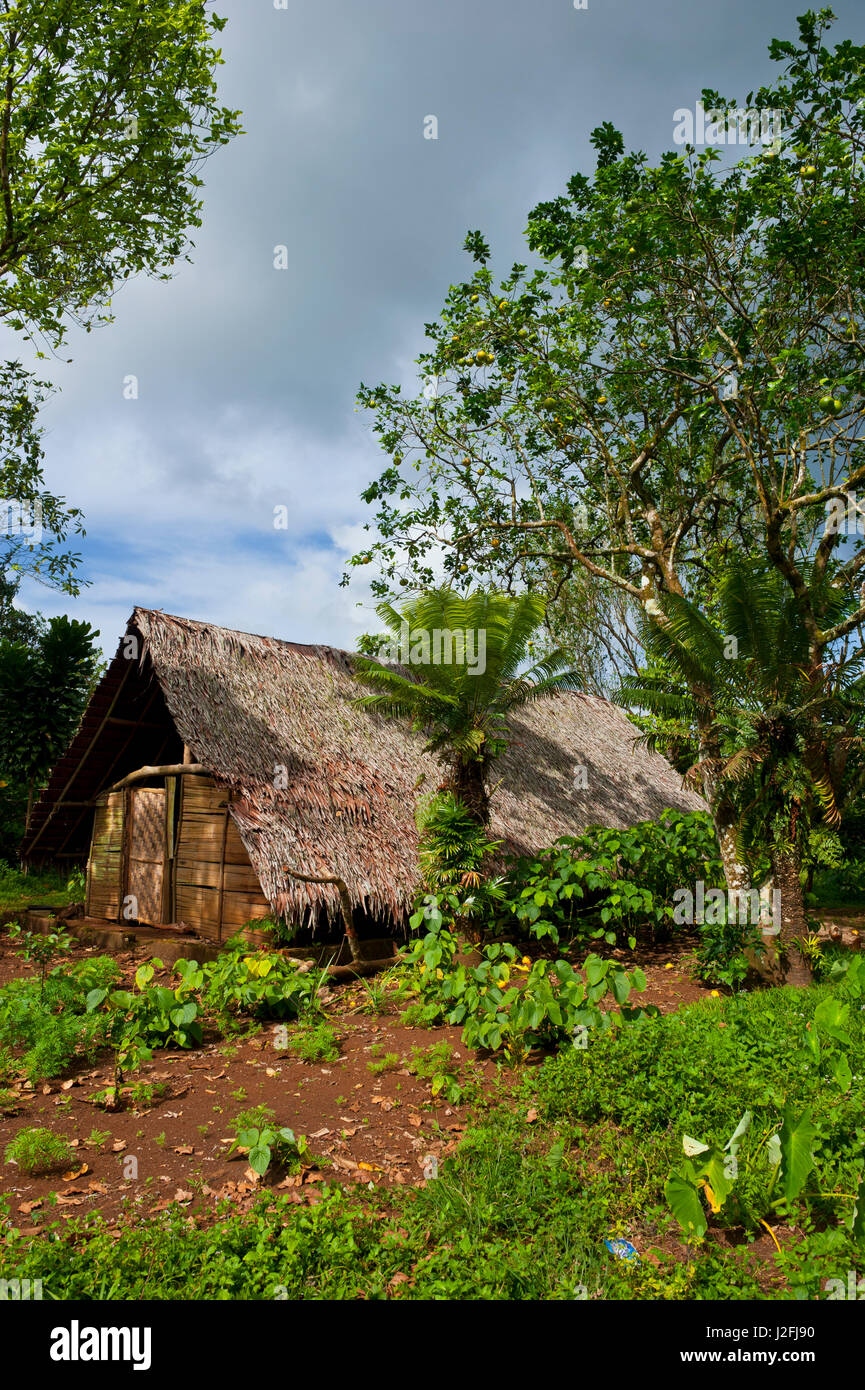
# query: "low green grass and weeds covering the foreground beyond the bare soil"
(576, 1157)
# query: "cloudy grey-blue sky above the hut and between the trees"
(248, 375)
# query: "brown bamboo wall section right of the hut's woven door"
(216, 889)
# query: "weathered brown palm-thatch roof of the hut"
(329, 789)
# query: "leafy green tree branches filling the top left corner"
(109, 116)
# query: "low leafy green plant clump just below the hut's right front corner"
(261, 985)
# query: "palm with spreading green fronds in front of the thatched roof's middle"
(462, 705)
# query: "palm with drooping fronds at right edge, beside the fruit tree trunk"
(775, 732)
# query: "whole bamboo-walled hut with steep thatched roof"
(301, 778)
